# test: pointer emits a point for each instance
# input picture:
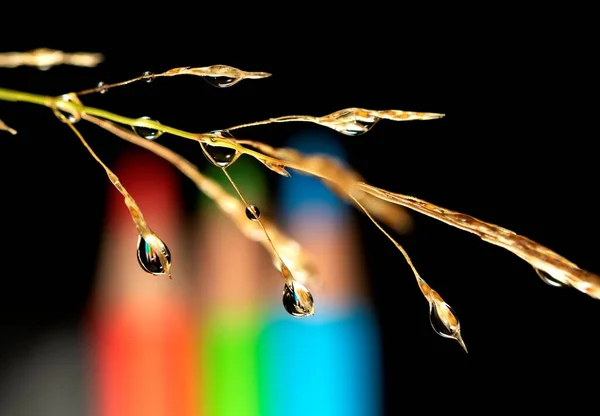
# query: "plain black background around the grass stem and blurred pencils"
(516, 149)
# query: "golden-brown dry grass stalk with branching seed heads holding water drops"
(373, 201)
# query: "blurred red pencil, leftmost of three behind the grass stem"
(140, 335)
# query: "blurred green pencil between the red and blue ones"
(229, 281)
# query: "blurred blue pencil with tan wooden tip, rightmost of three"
(328, 364)
